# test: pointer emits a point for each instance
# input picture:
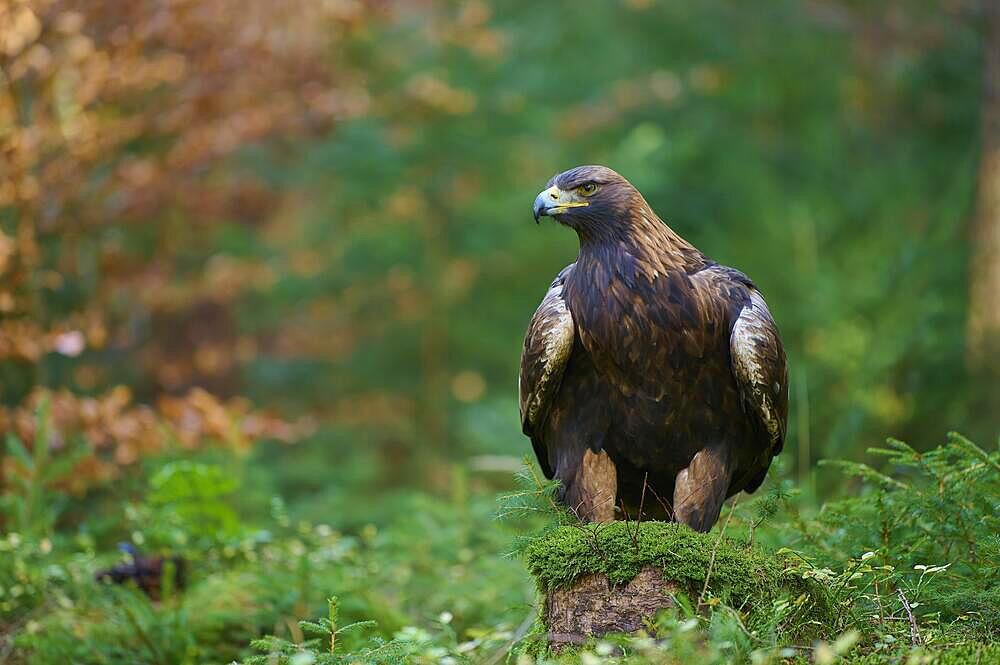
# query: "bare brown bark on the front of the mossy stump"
(593, 606)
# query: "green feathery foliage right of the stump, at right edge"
(925, 531)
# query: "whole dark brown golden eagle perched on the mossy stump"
(648, 367)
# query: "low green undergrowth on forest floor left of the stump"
(453, 592)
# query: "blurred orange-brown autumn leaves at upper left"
(116, 121)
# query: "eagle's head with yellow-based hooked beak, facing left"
(588, 198)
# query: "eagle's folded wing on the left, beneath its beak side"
(547, 348)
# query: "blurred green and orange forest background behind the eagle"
(290, 244)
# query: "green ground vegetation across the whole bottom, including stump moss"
(430, 583)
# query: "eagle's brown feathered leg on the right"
(701, 488)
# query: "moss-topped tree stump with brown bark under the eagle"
(598, 579)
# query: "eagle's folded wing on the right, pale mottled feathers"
(758, 361)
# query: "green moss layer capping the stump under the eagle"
(747, 578)
